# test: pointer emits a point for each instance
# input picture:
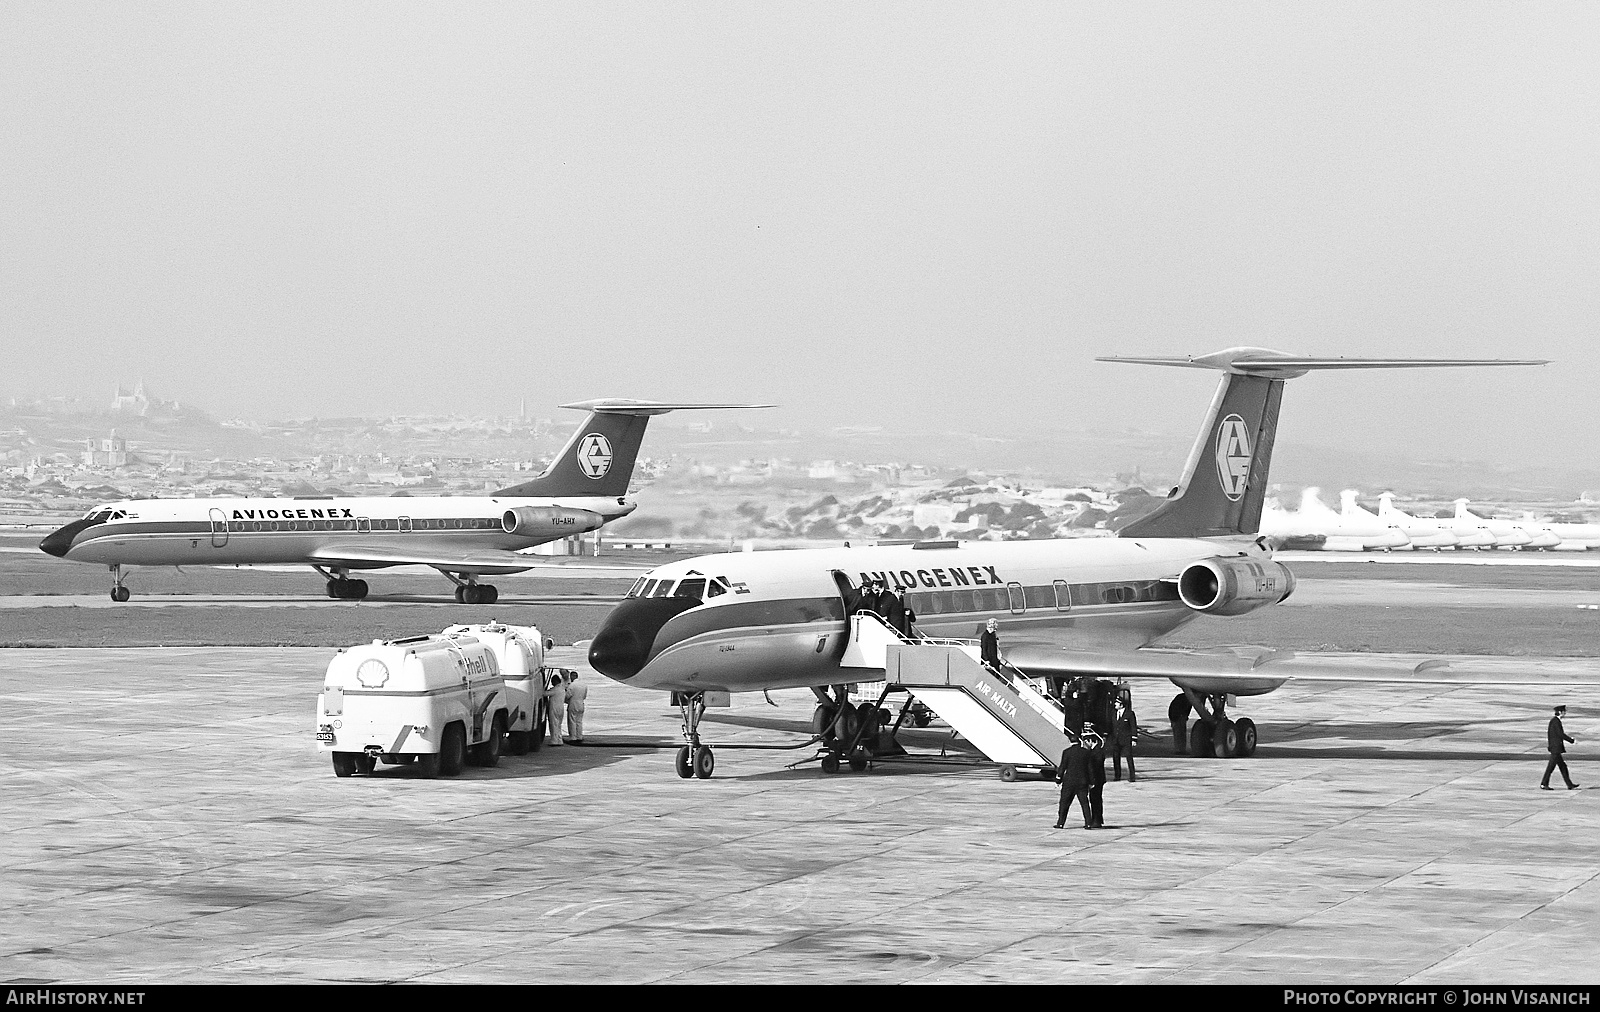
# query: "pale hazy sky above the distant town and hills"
(919, 214)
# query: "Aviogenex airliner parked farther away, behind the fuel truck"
(462, 537)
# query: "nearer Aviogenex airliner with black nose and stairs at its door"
(1066, 609)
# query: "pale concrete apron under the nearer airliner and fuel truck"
(167, 817)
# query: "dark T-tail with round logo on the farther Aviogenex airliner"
(599, 459)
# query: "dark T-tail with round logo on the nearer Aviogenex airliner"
(1226, 476)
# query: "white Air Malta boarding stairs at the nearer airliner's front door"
(1001, 712)
